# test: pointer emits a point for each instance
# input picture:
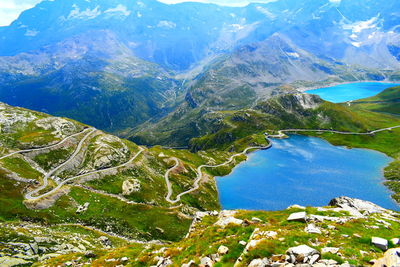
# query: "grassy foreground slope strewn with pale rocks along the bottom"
(349, 232)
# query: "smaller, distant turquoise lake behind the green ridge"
(352, 91)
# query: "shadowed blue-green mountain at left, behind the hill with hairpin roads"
(92, 78)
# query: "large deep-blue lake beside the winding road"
(306, 171)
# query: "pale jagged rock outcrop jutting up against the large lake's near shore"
(356, 207)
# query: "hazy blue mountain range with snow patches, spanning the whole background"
(127, 67)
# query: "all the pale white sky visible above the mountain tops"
(10, 9)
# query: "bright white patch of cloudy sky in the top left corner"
(11, 9)
